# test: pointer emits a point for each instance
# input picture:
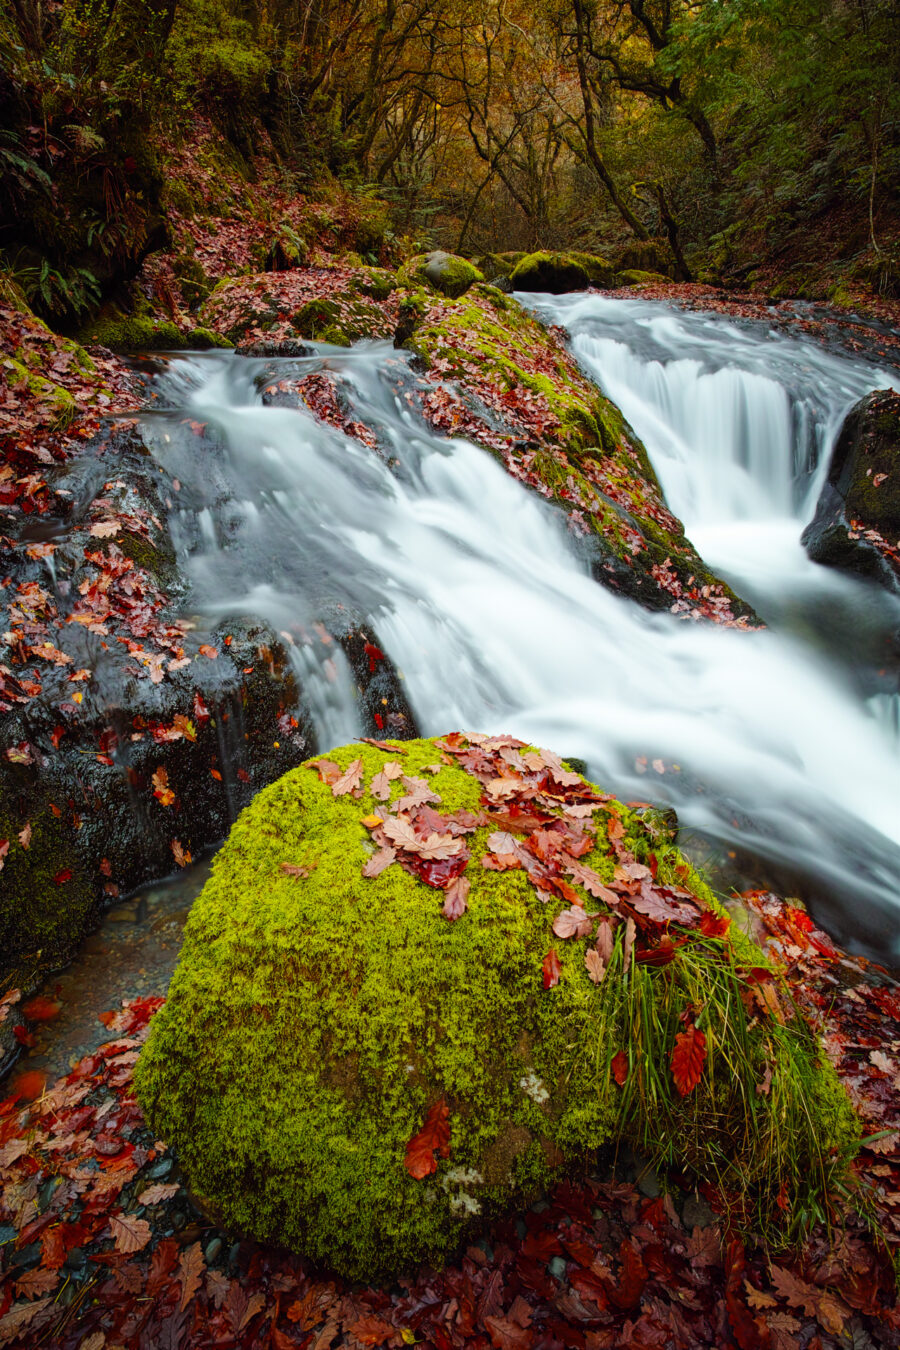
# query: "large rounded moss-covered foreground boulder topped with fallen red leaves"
(399, 1009)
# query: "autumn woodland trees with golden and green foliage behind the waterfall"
(736, 132)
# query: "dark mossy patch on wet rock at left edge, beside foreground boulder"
(47, 902)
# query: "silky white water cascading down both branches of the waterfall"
(481, 600)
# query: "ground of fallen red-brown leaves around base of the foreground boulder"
(101, 1245)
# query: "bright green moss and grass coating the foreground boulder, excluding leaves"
(314, 1021)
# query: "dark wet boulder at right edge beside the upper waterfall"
(857, 518)
